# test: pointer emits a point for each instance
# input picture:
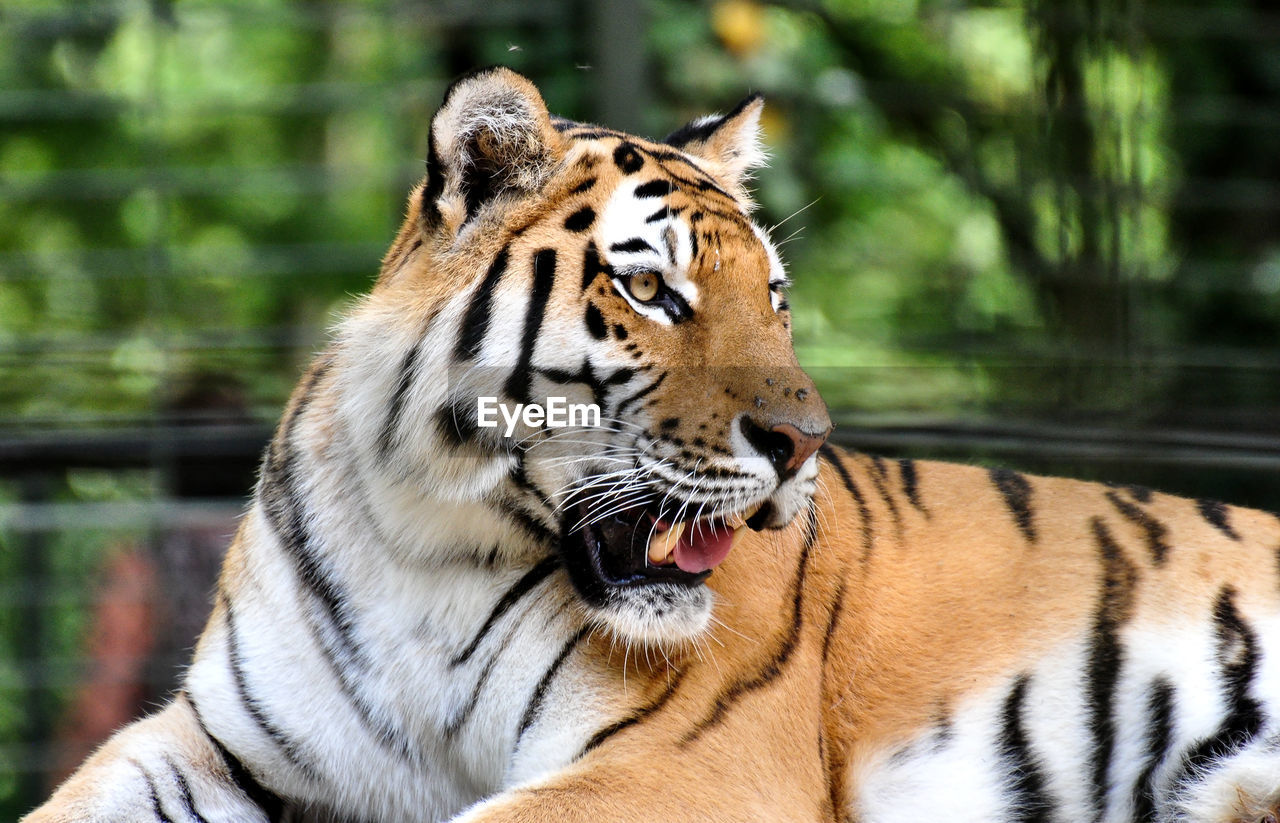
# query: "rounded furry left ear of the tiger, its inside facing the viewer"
(492, 139)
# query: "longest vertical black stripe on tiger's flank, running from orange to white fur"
(1107, 656)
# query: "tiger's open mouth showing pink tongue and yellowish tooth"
(648, 545)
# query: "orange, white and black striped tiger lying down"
(694, 609)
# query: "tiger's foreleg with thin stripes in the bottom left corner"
(162, 769)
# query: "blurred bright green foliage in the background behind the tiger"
(1009, 209)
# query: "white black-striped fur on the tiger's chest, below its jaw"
(408, 730)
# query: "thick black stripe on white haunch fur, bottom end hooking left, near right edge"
(1238, 657)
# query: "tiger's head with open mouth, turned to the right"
(546, 260)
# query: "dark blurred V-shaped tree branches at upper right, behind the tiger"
(1077, 282)
